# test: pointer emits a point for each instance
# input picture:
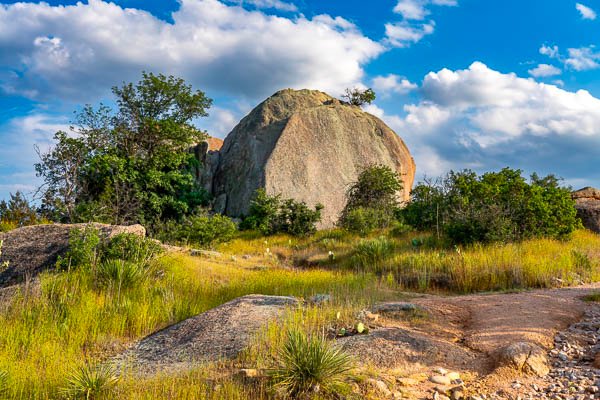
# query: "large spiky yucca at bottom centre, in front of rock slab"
(310, 365)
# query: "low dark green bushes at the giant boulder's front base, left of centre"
(271, 214)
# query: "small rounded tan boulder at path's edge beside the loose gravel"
(524, 357)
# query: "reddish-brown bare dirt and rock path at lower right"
(465, 334)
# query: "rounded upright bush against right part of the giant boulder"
(371, 200)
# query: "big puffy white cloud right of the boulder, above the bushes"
(483, 119)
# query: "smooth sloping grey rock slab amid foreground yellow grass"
(220, 333)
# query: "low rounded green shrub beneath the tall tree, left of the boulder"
(201, 230)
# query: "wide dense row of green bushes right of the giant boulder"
(495, 207)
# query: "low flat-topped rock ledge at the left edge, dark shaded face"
(32, 249)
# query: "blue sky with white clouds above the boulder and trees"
(466, 83)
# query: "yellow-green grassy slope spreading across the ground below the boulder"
(46, 333)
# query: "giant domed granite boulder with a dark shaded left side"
(308, 146)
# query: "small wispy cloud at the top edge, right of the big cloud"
(404, 33)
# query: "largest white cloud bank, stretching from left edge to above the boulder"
(76, 52)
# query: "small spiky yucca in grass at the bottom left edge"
(90, 381)
